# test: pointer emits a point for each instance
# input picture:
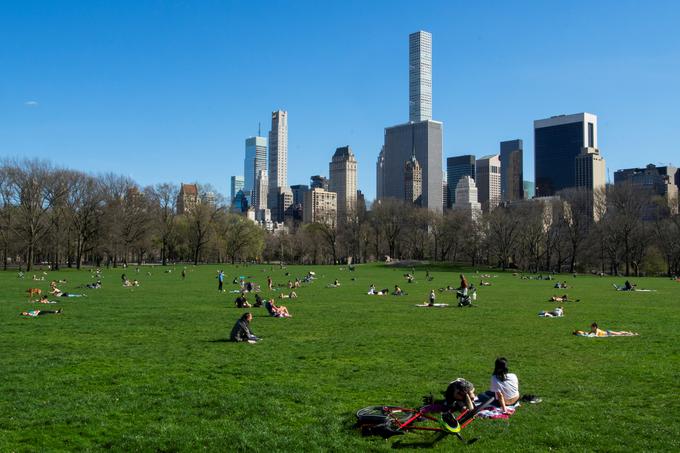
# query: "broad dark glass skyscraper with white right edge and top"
(557, 142)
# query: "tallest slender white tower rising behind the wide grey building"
(420, 76)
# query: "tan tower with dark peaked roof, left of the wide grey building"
(343, 181)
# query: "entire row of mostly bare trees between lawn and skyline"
(66, 217)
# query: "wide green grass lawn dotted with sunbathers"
(150, 368)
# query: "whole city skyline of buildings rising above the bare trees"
(410, 164)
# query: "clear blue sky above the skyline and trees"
(169, 90)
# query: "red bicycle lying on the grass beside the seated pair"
(388, 421)
